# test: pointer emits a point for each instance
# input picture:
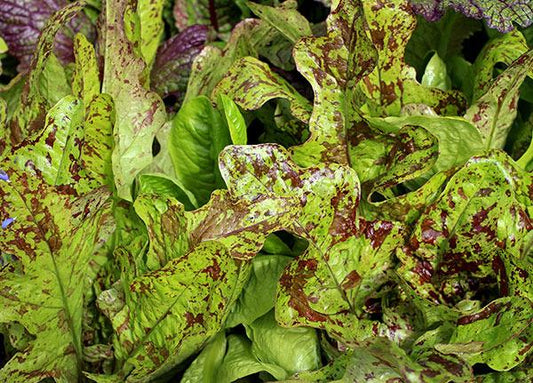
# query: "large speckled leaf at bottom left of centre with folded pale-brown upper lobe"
(197, 266)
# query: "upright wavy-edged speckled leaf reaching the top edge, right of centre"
(334, 64)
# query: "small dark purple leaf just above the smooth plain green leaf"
(174, 59)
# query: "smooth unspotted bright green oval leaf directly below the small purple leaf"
(197, 136)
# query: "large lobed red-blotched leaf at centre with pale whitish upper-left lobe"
(347, 258)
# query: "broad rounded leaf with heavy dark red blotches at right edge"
(475, 236)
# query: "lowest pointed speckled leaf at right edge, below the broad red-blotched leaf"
(499, 335)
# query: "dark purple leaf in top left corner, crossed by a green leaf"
(21, 22)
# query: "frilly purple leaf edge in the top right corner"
(499, 14)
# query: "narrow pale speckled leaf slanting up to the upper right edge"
(494, 112)
